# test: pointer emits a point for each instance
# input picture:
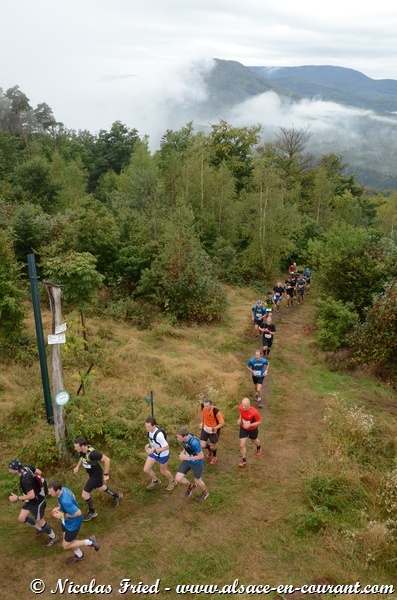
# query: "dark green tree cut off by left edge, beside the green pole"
(12, 311)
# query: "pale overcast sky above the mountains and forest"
(98, 61)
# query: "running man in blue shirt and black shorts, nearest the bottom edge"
(70, 515)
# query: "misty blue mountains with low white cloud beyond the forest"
(347, 112)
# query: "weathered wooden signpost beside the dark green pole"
(54, 294)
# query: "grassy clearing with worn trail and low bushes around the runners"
(304, 510)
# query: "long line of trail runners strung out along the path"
(34, 488)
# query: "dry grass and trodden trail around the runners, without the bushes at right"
(247, 527)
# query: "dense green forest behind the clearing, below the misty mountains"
(129, 233)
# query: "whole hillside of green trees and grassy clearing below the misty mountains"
(160, 257)
